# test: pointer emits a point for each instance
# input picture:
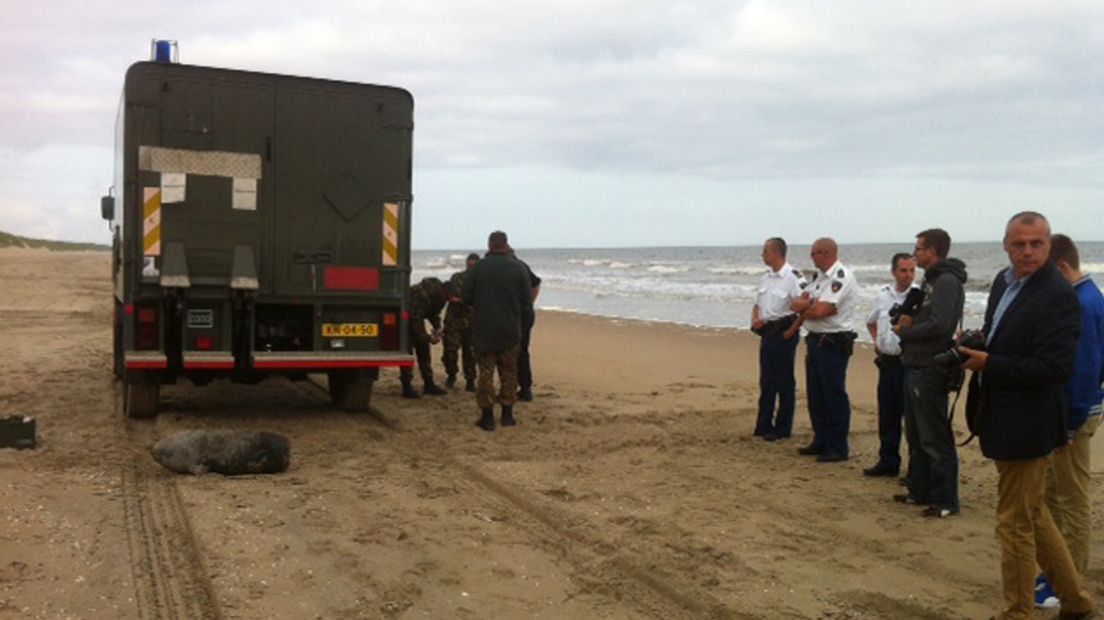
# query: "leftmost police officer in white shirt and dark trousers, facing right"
(774, 322)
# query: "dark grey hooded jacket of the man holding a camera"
(937, 320)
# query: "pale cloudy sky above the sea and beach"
(619, 124)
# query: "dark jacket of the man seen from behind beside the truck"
(498, 292)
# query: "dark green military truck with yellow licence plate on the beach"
(262, 228)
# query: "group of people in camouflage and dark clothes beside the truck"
(487, 328)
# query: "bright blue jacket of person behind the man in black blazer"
(1085, 388)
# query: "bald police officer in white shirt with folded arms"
(826, 308)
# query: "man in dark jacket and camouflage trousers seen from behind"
(497, 288)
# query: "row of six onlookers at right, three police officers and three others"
(1035, 401)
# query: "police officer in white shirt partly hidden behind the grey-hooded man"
(890, 371)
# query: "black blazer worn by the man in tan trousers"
(1023, 391)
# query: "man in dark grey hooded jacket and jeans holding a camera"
(933, 462)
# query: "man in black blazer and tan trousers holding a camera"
(1032, 326)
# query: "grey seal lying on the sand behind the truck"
(225, 452)
